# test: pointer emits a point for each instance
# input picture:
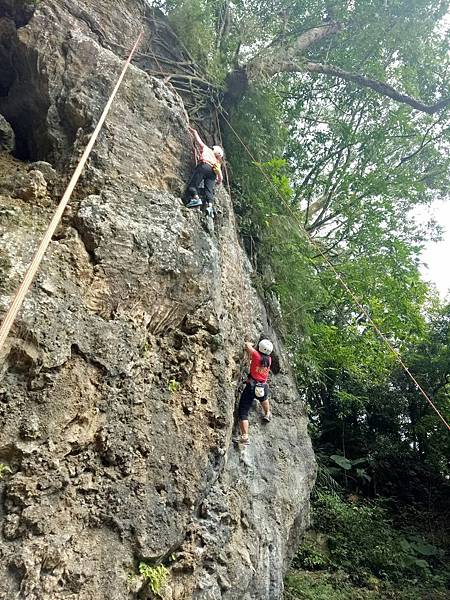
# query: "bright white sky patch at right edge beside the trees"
(436, 255)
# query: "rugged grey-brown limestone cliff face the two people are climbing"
(118, 381)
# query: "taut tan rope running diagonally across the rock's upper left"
(19, 297)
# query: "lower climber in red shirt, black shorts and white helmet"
(256, 385)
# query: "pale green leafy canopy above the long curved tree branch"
(396, 41)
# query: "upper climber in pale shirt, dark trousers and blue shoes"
(208, 171)
